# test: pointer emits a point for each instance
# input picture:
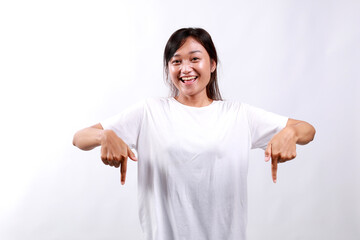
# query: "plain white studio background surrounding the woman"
(65, 65)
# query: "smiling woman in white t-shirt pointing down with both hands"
(193, 147)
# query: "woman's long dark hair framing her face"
(176, 40)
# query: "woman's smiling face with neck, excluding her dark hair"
(190, 69)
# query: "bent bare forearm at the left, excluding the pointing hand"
(88, 138)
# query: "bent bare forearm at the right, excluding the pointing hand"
(303, 131)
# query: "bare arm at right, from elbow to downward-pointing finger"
(282, 147)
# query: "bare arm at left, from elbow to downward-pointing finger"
(114, 151)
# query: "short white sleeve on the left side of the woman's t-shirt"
(127, 124)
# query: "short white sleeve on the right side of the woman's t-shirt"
(263, 125)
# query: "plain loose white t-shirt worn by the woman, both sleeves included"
(193, 164)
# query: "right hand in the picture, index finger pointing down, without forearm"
(281, 148)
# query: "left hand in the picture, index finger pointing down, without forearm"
(115, 152)
